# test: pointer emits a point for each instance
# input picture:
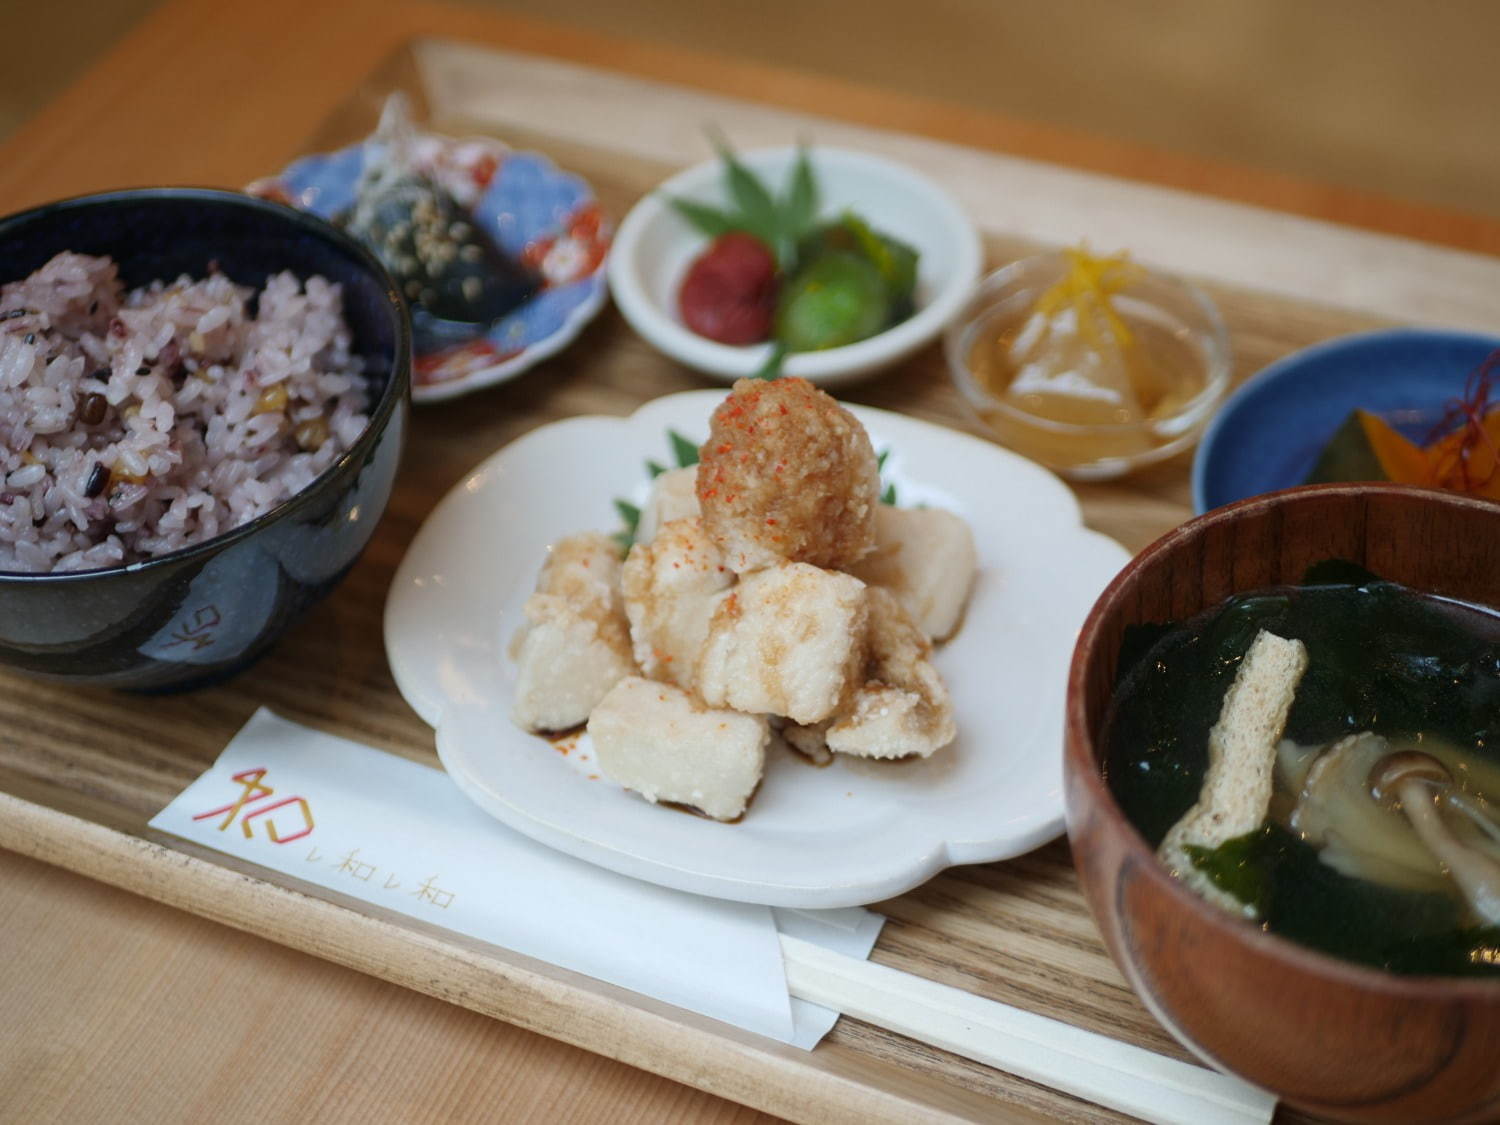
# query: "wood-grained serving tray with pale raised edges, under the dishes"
(82, 770)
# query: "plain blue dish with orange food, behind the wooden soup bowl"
(1271, 431)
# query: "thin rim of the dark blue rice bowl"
(397, 388)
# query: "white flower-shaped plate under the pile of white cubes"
(814, 838)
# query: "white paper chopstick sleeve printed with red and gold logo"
(400, 835)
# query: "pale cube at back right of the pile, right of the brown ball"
(926, 557)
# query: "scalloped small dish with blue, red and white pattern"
(539, 215)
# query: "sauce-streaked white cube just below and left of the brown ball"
(671, 589)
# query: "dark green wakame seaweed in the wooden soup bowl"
(1382, 659)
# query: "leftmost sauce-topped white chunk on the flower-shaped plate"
(575, 644)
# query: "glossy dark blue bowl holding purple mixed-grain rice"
(208, 611)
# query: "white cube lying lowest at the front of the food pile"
(667, 746)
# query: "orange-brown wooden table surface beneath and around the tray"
(124, 1010)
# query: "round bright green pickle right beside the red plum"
(833, 301)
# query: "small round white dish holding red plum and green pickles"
(655, 247)
